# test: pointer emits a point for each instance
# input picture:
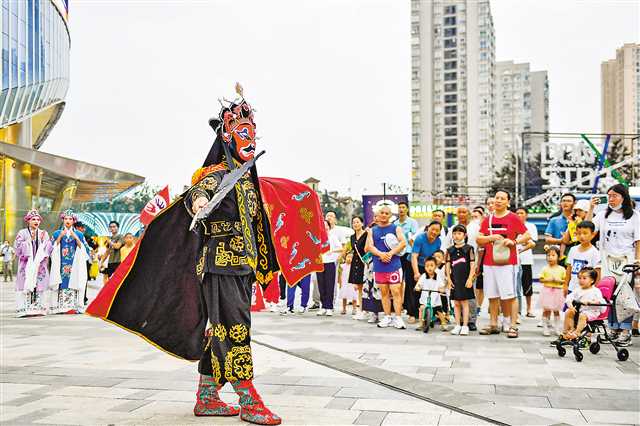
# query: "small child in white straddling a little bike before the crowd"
(431, 284)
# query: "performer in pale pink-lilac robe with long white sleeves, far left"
(33, 248)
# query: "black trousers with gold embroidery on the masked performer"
(227, 353)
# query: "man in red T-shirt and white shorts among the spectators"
(501, 228)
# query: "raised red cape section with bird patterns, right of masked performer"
(297, 227)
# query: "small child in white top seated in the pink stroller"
(586, 294)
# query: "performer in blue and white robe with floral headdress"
(68, 267)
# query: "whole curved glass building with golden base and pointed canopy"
(34, 78)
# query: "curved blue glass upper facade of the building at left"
(34, 71)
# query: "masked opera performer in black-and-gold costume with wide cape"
(190, 293)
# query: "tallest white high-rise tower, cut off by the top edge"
(453, 116)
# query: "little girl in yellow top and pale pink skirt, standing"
(551, 297)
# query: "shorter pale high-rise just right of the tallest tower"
(522, 105)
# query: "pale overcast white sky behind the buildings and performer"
(330, 80)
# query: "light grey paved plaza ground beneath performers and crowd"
(80, 370)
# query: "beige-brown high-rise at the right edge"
(621, 91)
